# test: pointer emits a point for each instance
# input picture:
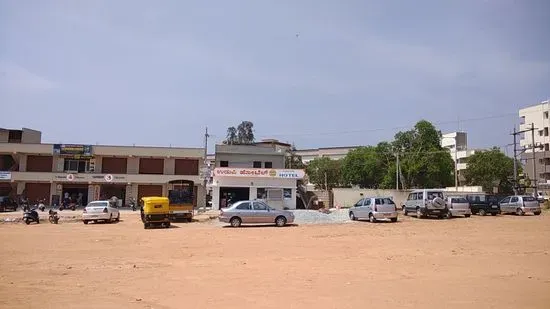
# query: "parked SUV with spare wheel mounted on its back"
(426, 202)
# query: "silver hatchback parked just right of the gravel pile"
(374, 209)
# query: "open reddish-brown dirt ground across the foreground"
(480, 262)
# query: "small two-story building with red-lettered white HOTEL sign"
(249, 172)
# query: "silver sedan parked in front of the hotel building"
(254, 212)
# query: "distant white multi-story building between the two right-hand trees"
(457, 144)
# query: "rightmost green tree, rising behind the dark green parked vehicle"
(491, 169)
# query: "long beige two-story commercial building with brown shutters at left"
(49, 171)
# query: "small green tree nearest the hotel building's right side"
(325, 173)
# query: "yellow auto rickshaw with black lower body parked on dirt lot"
(155, 211)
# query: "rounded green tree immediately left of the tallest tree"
(363, 167)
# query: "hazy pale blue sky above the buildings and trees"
(313, 73)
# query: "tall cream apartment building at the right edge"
(537, 116)
